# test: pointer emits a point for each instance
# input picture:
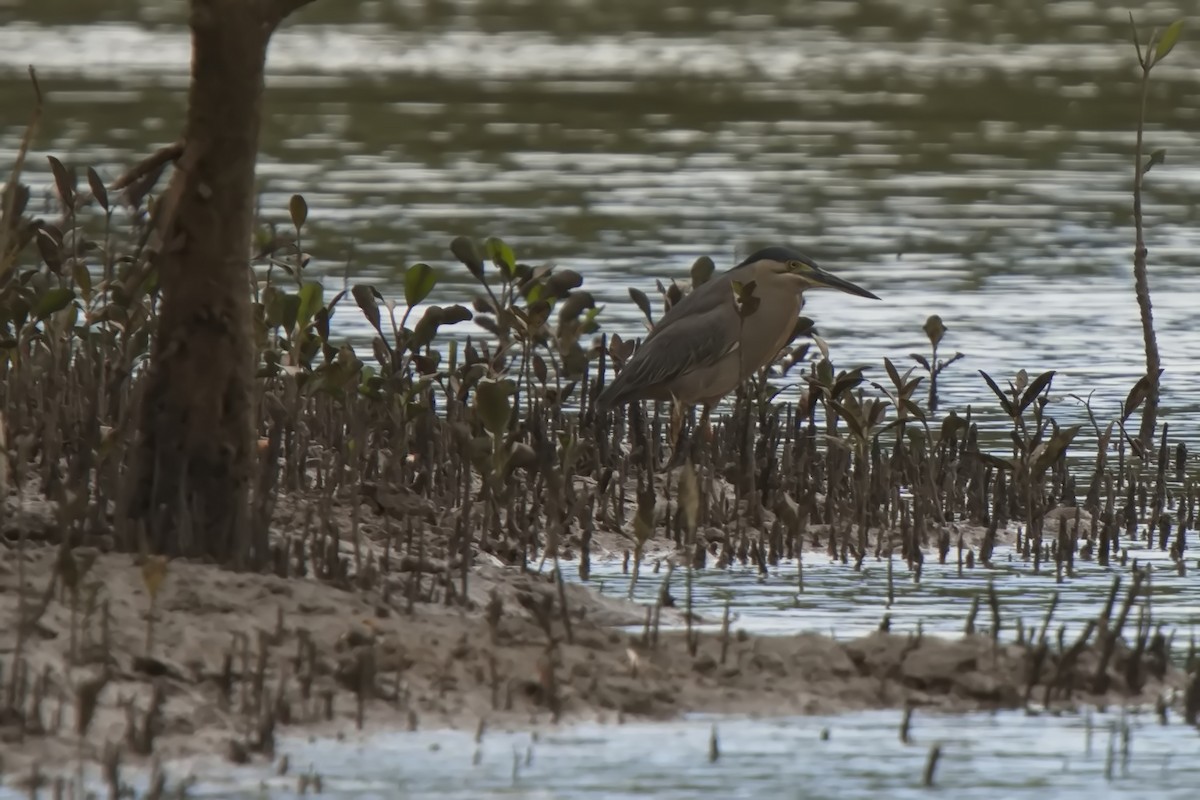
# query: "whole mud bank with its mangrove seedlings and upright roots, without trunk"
(409, 509)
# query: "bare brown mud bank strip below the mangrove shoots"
(236, 660)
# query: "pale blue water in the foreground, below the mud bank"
(987, 756)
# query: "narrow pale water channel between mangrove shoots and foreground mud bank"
(838, 601)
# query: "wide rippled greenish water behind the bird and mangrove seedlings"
(969, 161)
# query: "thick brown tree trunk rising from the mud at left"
(195, 460)
